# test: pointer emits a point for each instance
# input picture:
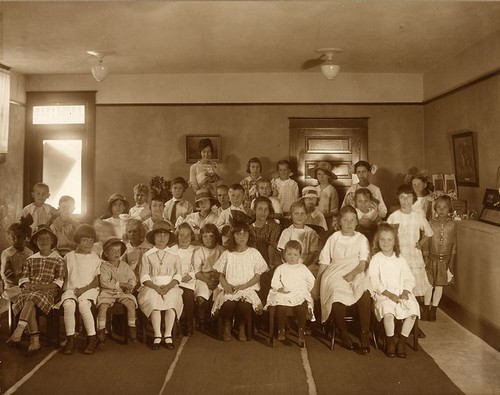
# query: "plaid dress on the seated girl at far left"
(41, 270)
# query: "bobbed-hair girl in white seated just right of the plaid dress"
(81, 288)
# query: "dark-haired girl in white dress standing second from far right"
(413, 232)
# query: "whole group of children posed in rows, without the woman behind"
(254, 245)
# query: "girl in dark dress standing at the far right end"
(440, 257)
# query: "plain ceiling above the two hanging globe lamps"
(239, 36)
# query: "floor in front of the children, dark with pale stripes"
(203, 364)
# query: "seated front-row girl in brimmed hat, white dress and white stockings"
(160, 275)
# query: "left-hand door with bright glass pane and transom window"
(59, 147)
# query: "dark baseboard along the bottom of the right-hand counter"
(477, 325)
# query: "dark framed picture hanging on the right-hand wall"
(465, 158)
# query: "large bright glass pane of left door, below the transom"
(62, 170)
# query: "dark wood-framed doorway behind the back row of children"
(339, 141)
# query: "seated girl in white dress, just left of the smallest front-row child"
(240, 268)
